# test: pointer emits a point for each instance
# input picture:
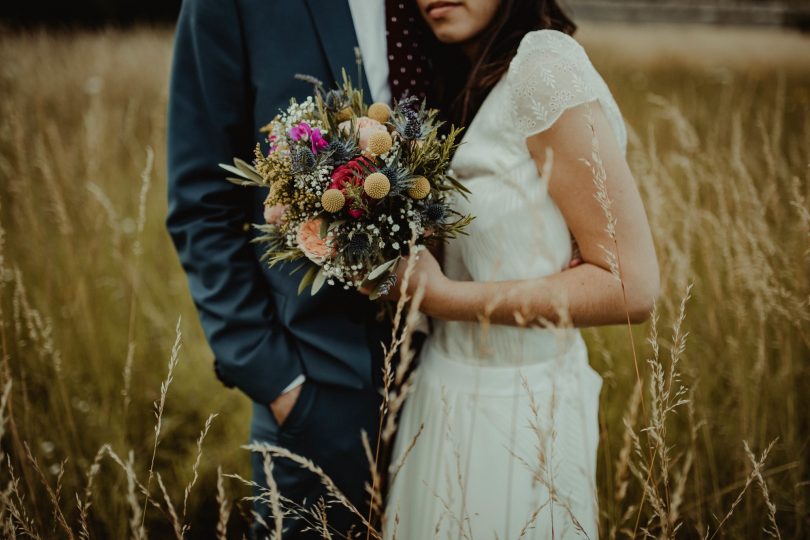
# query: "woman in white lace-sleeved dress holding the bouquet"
(499, 436)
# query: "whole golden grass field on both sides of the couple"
(91, 293)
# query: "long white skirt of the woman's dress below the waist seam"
(488, 452)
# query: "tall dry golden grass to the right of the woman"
(720, 147)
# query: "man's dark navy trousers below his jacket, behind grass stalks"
(325, 425)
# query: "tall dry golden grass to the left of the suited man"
(91, 288)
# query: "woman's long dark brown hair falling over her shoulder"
(459, 86)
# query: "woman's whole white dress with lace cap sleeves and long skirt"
(505, 419)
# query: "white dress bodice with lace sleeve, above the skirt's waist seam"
(518, 231)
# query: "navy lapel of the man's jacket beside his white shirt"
(333, 21)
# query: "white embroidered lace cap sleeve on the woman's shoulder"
(549, 74)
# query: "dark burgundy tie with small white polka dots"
(407, 59)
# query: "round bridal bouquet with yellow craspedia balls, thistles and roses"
(351, 185)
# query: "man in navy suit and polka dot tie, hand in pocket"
(310, 364)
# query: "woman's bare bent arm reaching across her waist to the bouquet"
(588, 294)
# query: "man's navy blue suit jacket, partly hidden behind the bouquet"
(234, 67)
